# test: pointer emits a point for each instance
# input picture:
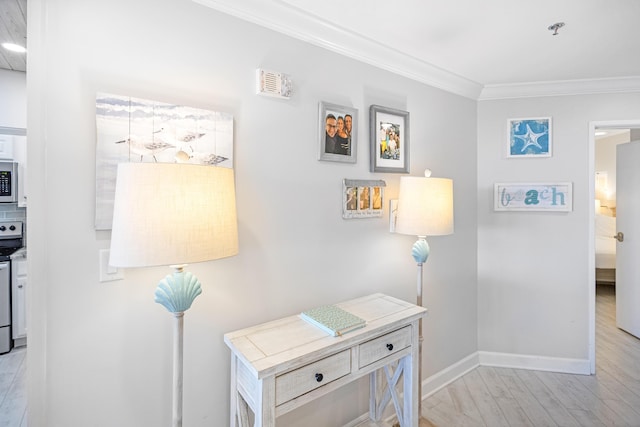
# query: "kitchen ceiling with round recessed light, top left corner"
(13, 29)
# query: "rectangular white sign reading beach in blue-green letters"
(547, 197)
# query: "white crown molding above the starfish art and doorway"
(560, 88)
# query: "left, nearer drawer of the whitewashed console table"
(312, 376)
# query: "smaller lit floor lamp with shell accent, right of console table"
(425, 208)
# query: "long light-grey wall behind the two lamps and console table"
(100, 353)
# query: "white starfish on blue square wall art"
(529, 137)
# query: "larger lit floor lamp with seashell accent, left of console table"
(173, 214)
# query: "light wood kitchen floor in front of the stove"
(13, 388)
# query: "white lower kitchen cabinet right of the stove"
(19, 297)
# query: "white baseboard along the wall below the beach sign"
(538, 363)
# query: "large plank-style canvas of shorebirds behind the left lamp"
(138, 130)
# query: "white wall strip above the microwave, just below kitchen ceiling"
(13, 99)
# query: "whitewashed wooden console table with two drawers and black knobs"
(280, 365)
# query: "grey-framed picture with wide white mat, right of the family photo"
(389, 133)
